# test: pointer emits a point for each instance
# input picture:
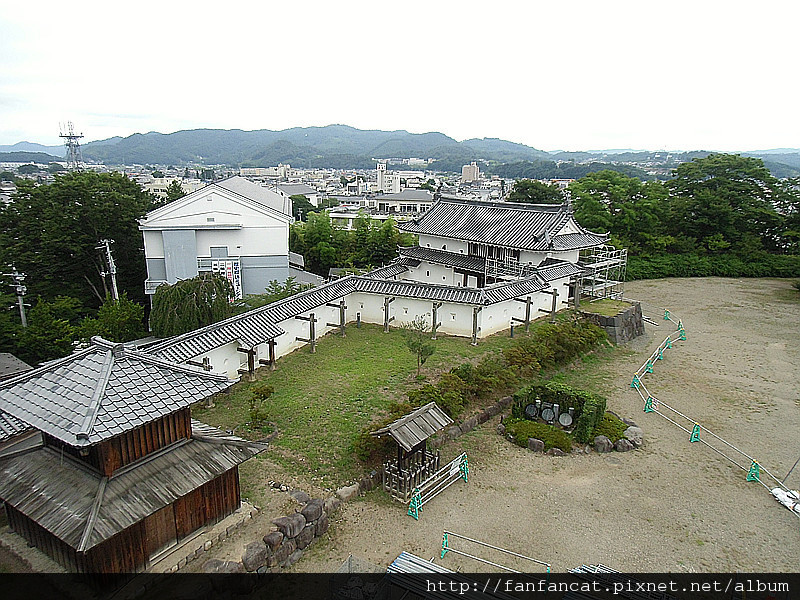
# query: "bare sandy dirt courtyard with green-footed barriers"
(670, 506)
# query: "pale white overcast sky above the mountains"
(573, 75)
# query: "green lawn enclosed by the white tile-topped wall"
(323, 400)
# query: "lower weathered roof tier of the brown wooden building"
(59, 494)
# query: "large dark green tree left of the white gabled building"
(50, 233)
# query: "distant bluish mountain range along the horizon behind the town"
(344, 147)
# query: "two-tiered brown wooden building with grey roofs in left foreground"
(120, 471)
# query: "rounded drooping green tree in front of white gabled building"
(191, 304)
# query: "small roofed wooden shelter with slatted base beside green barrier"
(414, 463)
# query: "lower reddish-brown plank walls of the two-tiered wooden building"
(130, 550)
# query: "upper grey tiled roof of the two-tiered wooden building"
(103, 391)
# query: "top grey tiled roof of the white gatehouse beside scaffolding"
(531, 227)
